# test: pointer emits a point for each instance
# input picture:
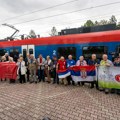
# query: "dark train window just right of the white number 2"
(65, 51)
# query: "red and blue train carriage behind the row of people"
(107, 42)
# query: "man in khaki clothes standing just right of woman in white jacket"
(32, 68)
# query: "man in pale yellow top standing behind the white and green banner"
(107, 63)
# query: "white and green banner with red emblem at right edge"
(109, 77)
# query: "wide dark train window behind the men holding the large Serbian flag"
(98, 50)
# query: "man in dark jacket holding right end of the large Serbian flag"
(94, 61)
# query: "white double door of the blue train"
(28, 49)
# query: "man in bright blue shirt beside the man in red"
(70, 63)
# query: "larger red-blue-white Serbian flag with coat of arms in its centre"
(83, 73)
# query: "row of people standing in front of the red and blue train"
(35, 70)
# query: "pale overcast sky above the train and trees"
(13, 12)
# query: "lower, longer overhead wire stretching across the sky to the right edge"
(51, 16)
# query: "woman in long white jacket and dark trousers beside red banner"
(21, 70)
